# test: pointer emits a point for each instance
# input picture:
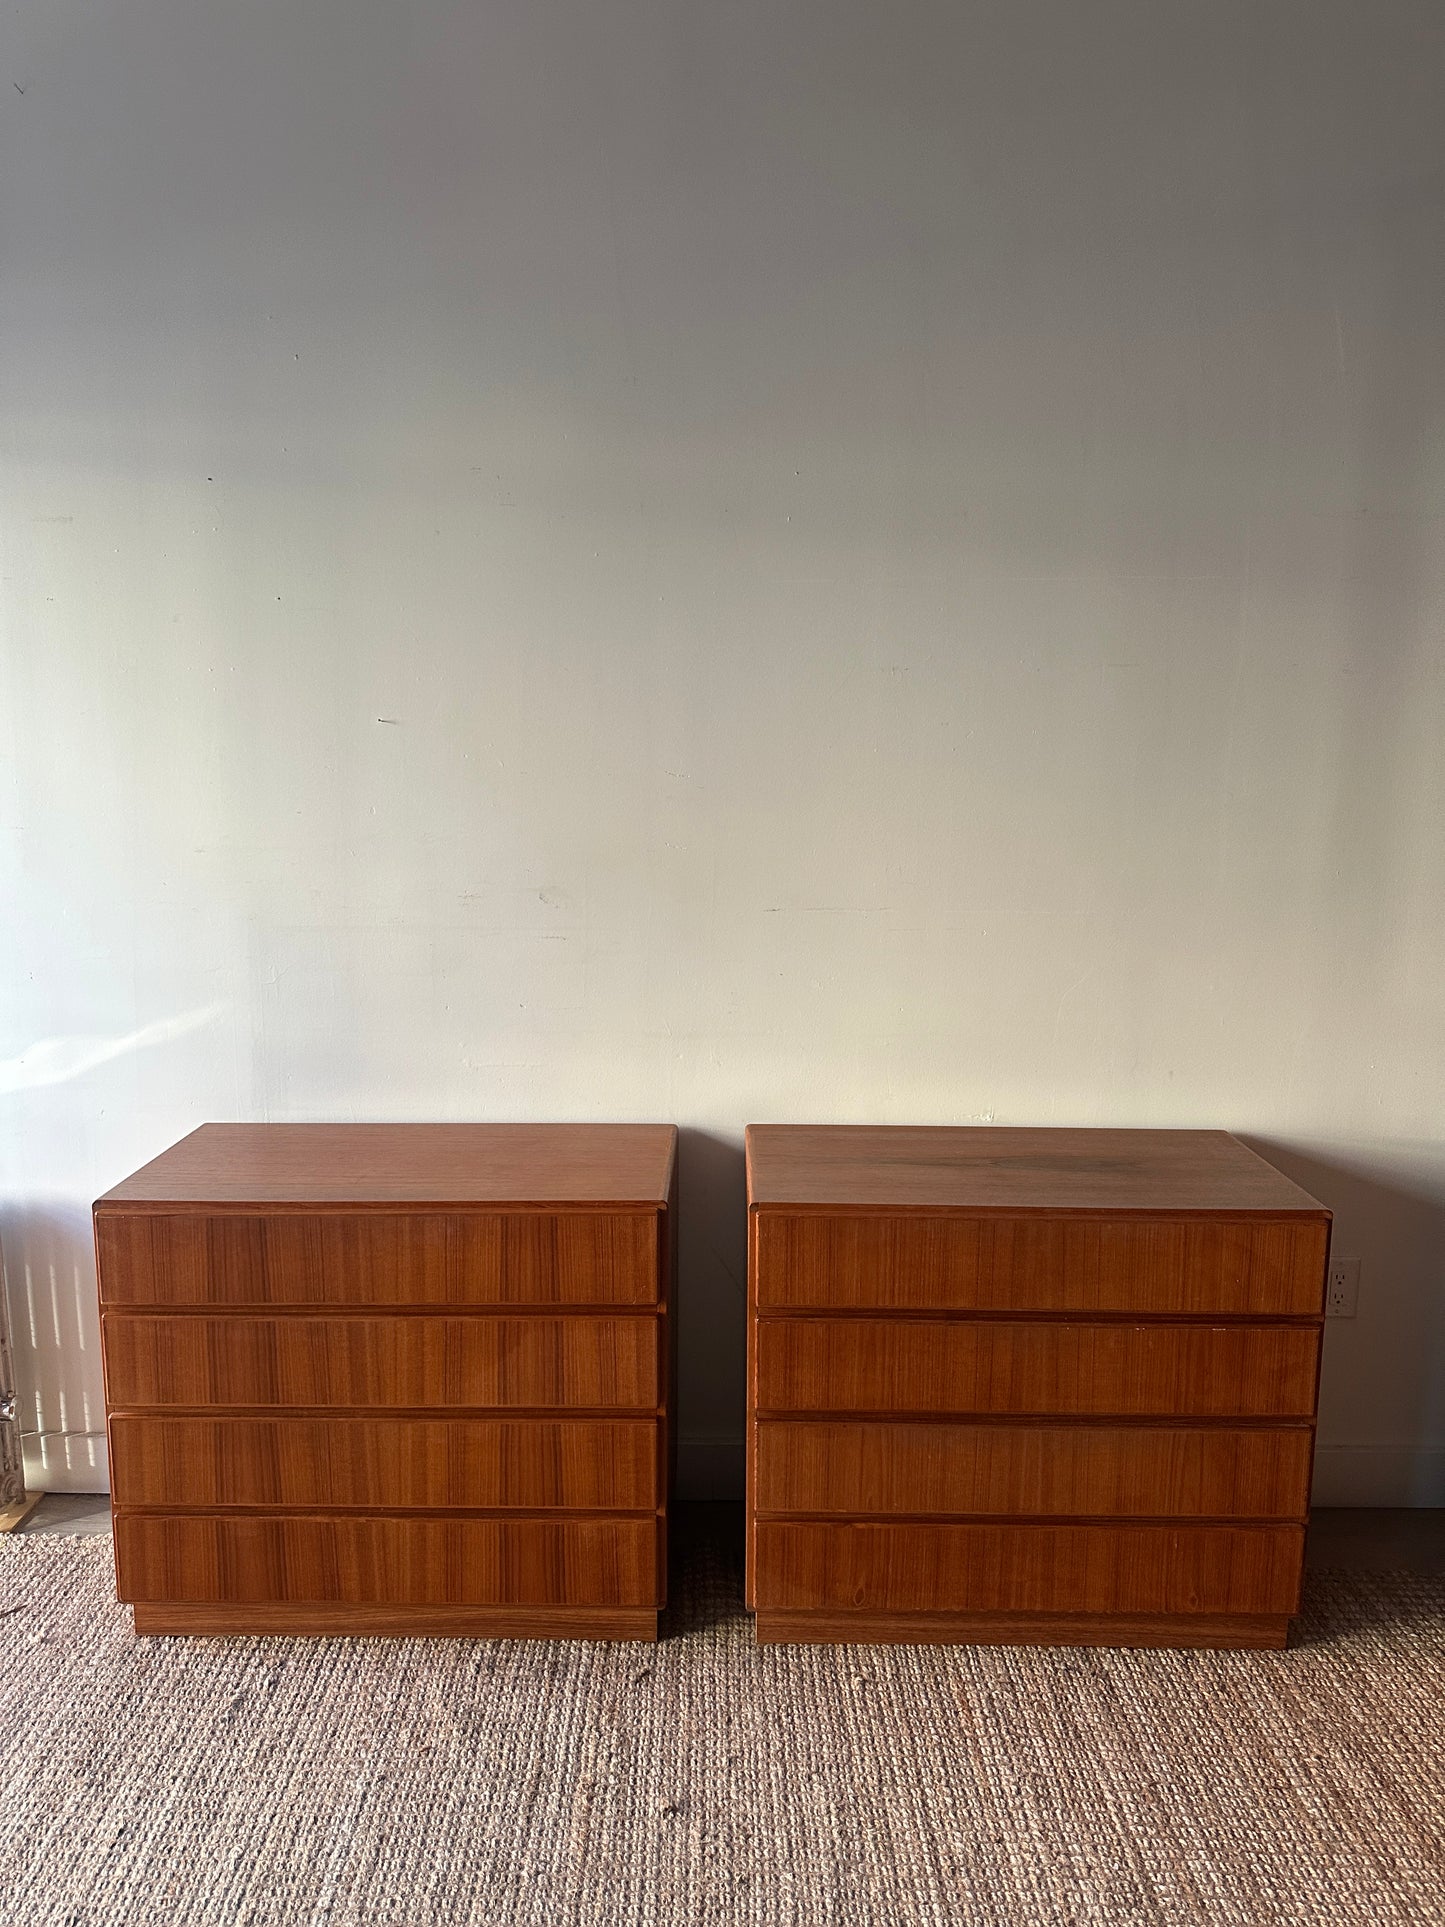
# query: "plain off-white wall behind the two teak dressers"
(727, 564)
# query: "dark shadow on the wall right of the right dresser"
(1382, 1388)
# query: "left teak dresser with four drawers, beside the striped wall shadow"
(392, 1379)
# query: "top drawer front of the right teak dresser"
(812, 1261)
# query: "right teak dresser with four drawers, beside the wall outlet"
(1028, 1386)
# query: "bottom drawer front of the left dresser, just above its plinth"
(388, 1562)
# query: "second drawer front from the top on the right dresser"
(957, 1367)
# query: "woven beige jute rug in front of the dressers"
(704, 1782)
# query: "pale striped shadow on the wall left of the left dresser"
(55, 1331)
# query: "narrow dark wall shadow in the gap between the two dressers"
(712, 1311)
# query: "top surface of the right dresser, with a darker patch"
(991, 1169)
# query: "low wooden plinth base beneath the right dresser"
(1024, 1629)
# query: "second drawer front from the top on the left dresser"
(402, 1361)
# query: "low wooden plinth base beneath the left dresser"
(402, 1622)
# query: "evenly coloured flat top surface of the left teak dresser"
(409, 1165)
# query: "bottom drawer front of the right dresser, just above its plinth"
(1030, 1570)
